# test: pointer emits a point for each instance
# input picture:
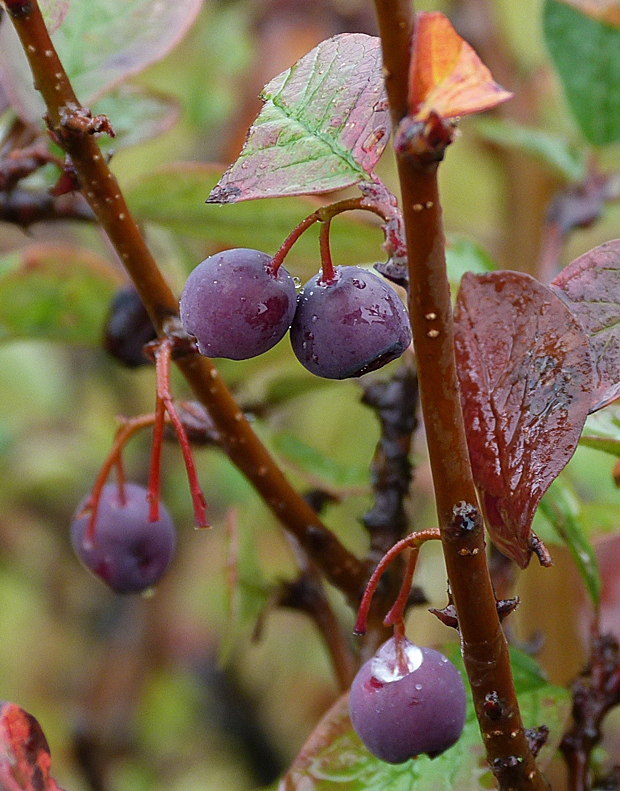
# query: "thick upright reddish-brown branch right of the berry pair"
(484, 646)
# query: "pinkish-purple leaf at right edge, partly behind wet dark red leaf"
(590, 286)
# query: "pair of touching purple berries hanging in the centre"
(238, 306)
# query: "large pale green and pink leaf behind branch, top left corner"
(100, 43)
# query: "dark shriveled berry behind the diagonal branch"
(128, 328)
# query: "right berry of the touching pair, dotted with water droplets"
(350, 326)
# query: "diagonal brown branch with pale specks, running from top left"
(71, 126)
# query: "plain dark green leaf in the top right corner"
(586, 54)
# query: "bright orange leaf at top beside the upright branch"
(446, 75)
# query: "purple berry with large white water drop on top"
(398, 716)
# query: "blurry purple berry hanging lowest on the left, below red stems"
(128, 552)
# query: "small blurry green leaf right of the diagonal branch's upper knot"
(136, 114)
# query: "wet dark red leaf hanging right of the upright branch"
(526, 382)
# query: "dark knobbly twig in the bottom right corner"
(595, 692)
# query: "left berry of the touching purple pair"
(235, 307)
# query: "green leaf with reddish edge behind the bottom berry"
(334, 758)
